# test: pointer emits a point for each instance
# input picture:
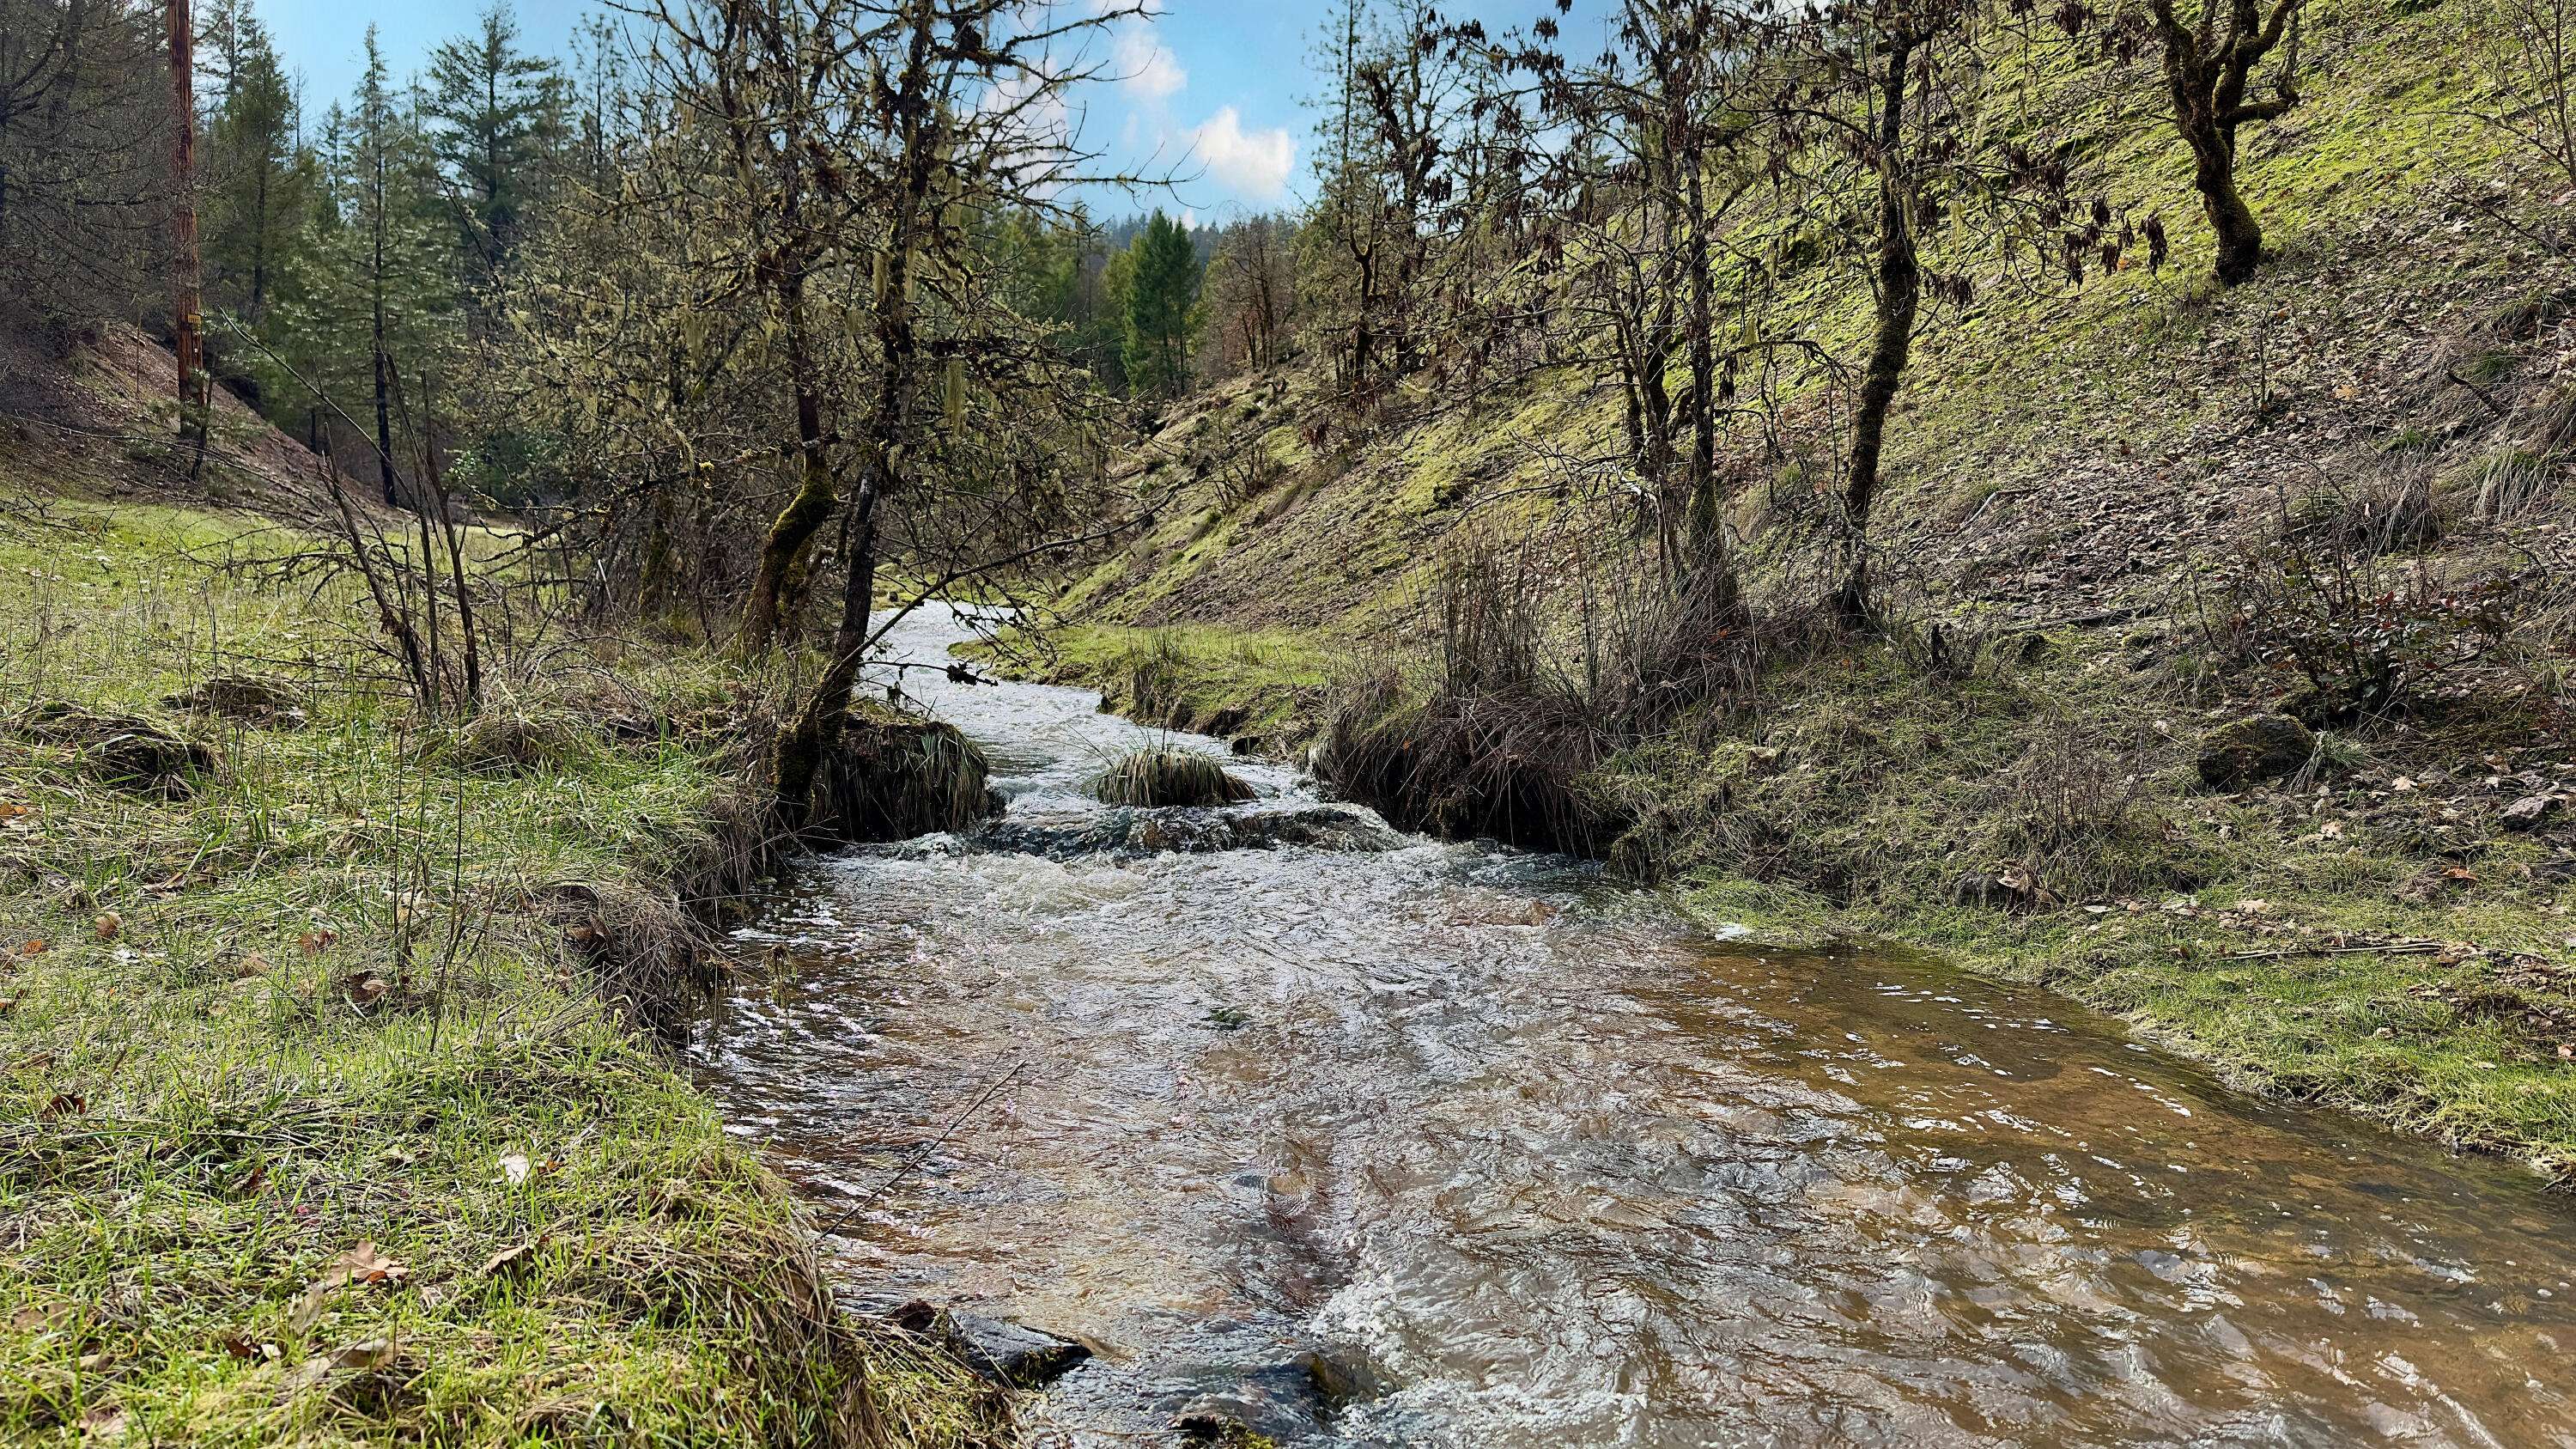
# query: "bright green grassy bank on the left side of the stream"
(323, 1107)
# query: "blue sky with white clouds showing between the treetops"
(1209, 86)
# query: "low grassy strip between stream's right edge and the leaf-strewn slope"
(2366, 932)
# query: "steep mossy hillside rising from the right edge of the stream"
(2103, 507)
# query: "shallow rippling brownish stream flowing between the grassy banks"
(1467, 1149)
